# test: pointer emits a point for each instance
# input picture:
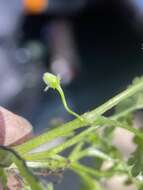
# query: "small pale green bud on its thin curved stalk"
(54, 82)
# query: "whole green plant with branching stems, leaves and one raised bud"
(86, 143)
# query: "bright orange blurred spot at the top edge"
(35, 6)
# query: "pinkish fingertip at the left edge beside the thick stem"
(14, 129)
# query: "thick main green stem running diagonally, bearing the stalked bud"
(75, 124)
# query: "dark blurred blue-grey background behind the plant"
(96, 46)
